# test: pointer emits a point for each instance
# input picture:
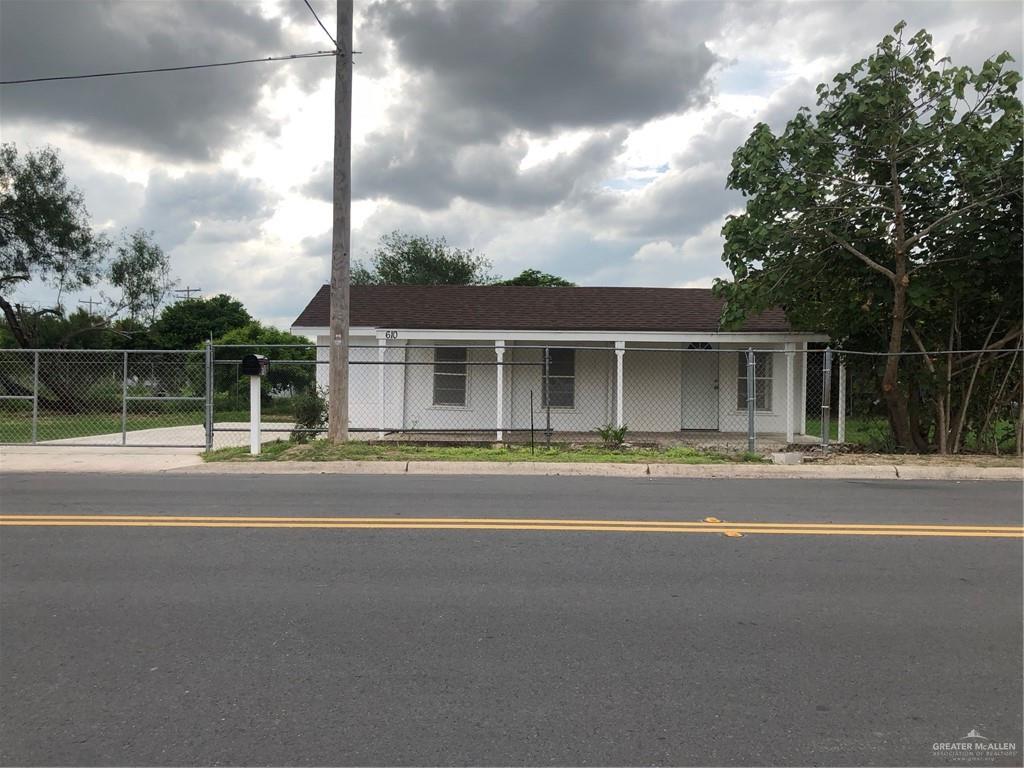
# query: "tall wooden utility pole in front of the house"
(342, 241)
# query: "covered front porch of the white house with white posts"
(689, 390)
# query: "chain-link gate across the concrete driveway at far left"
(103, 398)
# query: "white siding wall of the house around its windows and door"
(653, 390)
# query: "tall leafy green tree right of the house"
(888, 218)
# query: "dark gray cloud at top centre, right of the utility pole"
(558, 64)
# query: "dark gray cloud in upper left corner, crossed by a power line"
(185, 115)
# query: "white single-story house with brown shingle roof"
(474, 358)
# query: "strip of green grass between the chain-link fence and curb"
(324, 451)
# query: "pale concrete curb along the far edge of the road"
(580, 470)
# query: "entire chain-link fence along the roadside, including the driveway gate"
(715, 397)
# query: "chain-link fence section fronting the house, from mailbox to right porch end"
(715, 397)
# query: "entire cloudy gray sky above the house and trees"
(586, 139)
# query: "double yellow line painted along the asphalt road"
(708, 526)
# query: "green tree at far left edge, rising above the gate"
(46, 235)
